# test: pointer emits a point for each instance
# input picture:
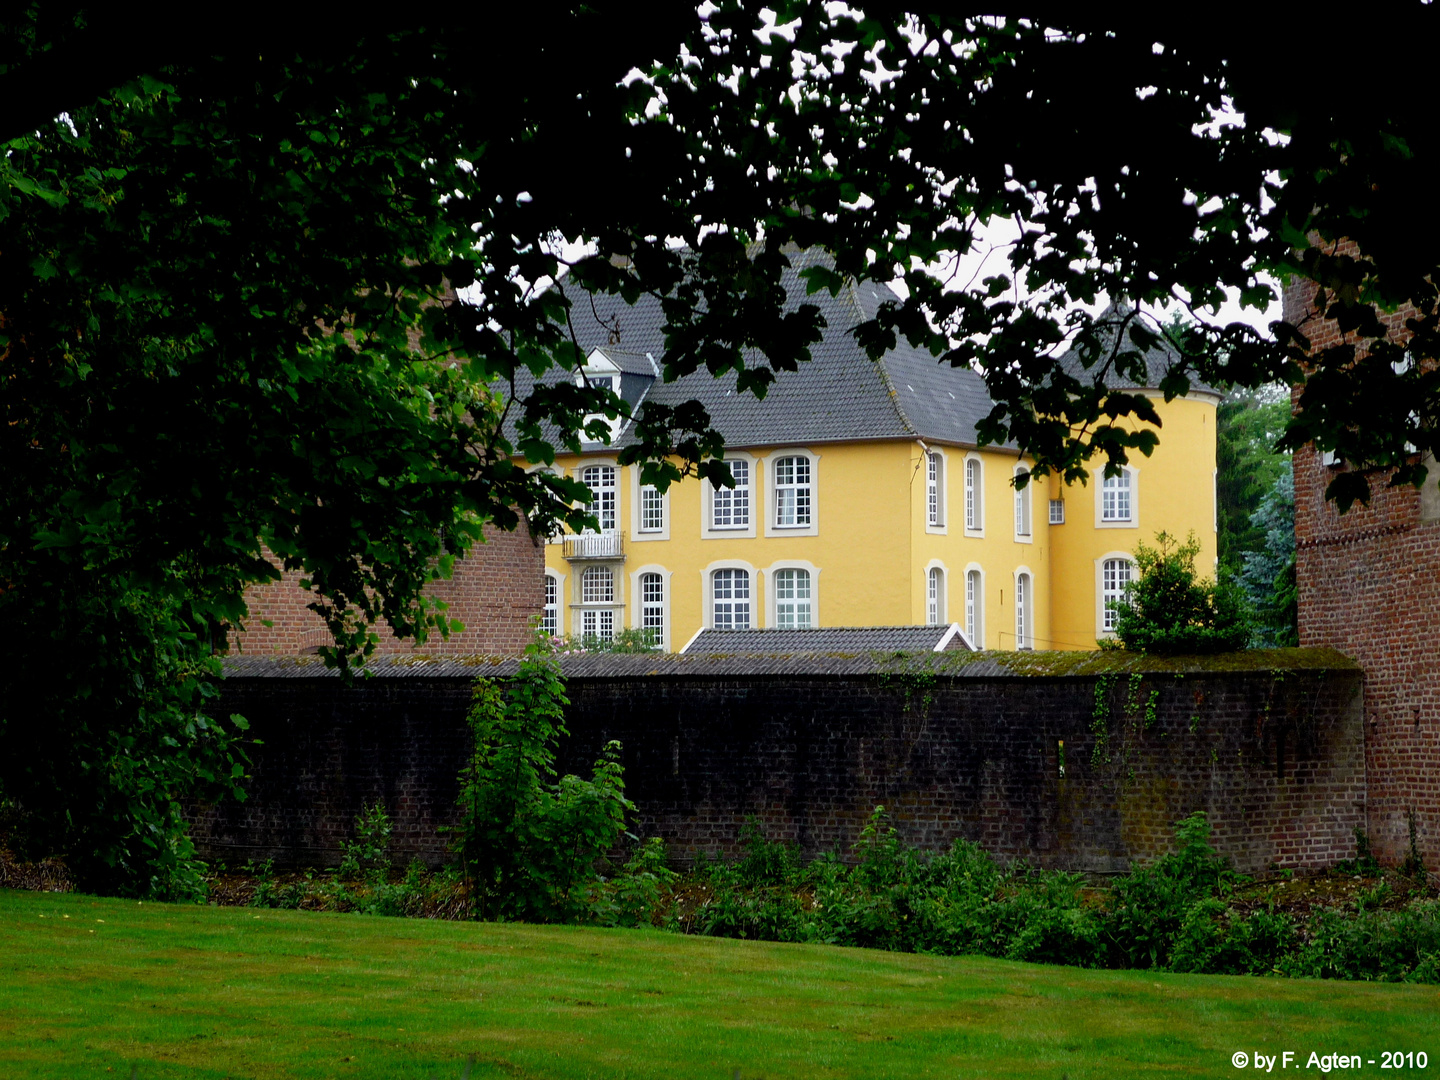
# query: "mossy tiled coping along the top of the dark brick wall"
(775, 665)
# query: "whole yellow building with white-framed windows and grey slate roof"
(862, 500)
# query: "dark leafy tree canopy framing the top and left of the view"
(230, 326)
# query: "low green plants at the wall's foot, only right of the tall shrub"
(1179, 914)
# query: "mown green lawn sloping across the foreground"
(90, 986)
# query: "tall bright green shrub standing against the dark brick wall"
(529, 845)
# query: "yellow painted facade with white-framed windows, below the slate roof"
(870, 545)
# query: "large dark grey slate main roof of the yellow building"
(839, 397)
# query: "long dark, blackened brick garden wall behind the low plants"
(1277, 761)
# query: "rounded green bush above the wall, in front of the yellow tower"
(1169, 611)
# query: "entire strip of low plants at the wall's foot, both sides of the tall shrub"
(1187, 912)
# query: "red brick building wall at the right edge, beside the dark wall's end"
(1370, 587)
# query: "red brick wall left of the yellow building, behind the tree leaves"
(496, 591)
